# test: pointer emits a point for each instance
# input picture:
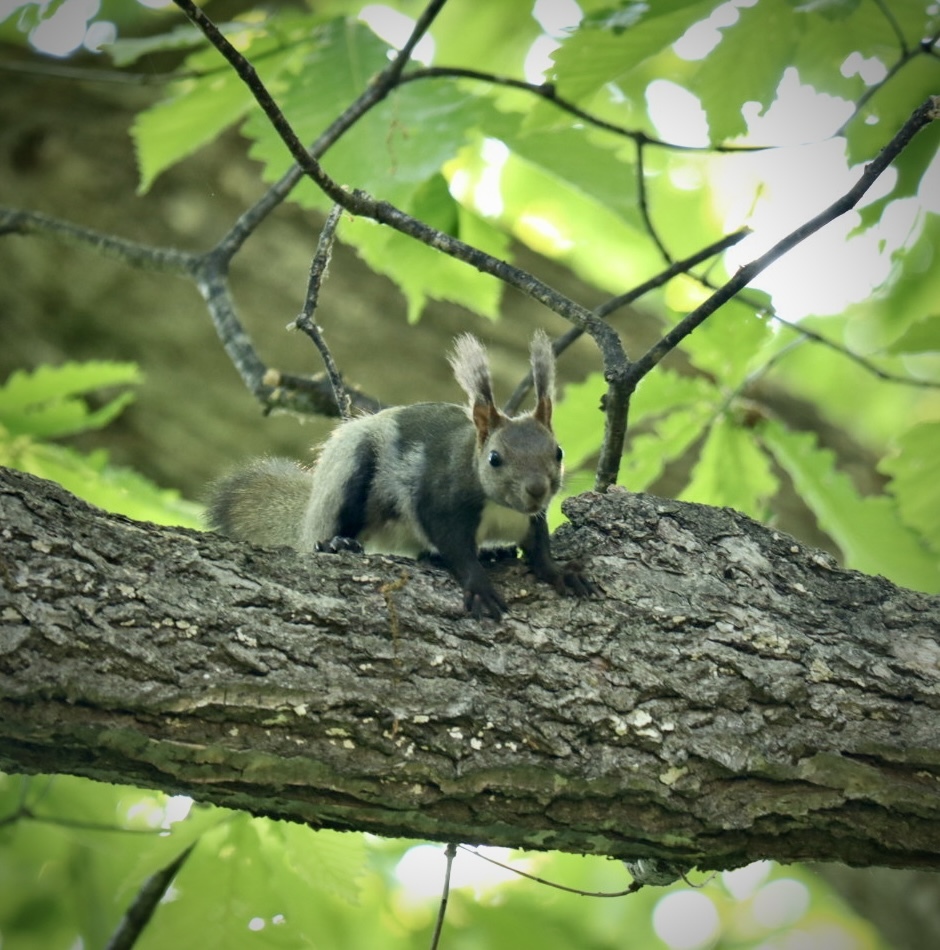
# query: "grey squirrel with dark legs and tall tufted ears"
(410, 479)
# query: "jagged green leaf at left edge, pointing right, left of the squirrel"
(45, 403)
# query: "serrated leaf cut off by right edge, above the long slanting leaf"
(914, 483)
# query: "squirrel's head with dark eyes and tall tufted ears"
(519, 461)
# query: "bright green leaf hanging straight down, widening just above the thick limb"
(732, 471)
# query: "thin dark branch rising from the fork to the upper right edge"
(921, 117)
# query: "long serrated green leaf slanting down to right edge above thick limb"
(868, 530)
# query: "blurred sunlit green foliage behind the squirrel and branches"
(719, 115)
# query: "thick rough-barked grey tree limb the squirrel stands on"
(732, 695)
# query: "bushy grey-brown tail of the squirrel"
(263, 503)
